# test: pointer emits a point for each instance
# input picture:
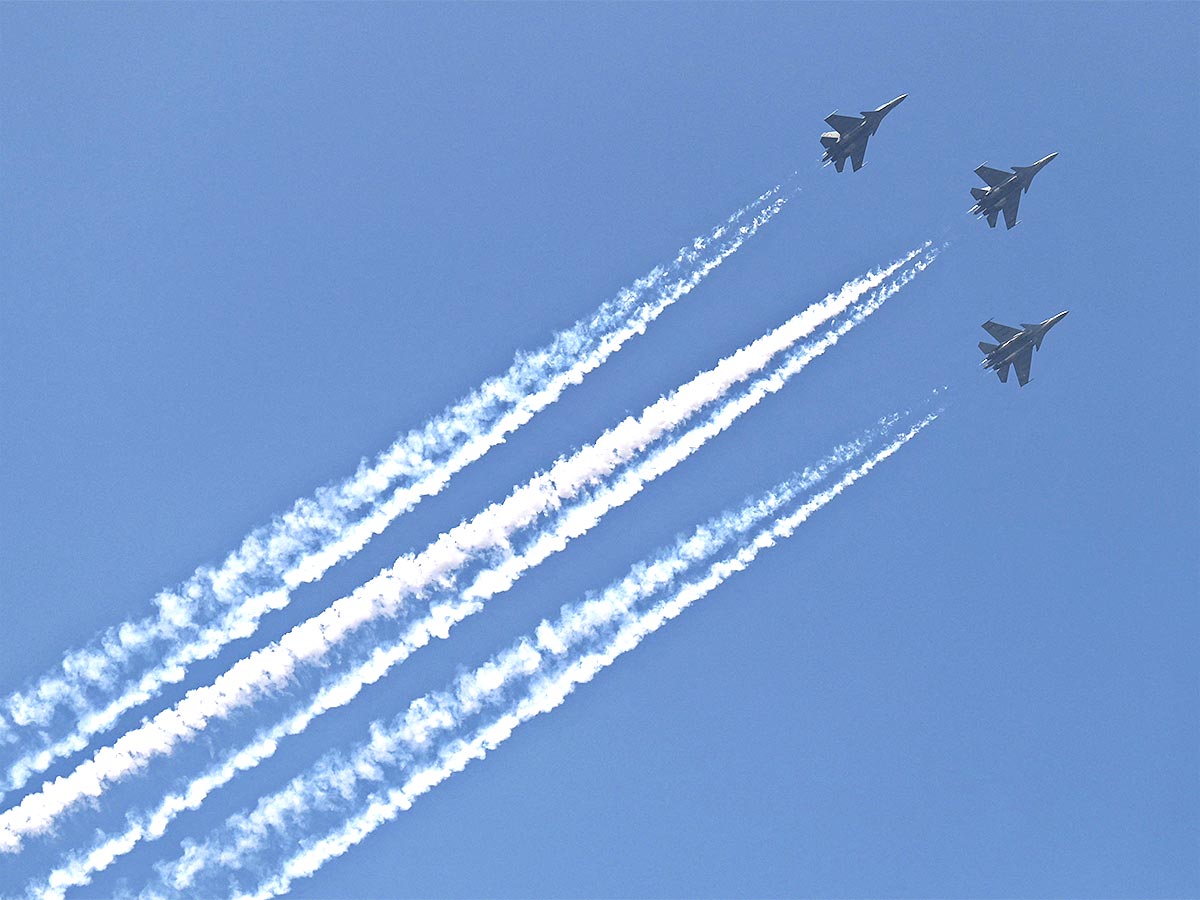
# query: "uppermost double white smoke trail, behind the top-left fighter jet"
(215, 607)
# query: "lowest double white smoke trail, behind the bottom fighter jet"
(550, 663)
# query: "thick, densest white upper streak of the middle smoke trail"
(383, 596)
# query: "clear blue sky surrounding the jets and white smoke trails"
(248, 245)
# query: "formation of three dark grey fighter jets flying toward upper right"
(848, 141)
